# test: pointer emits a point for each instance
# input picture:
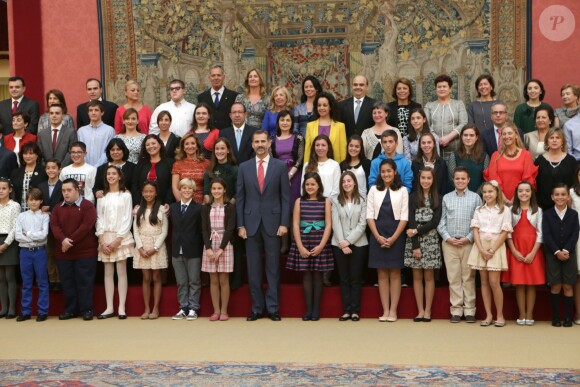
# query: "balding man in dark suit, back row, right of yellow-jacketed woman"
(357, 112)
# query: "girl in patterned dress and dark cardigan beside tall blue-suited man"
(218, 222)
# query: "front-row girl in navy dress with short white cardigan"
(387, 217)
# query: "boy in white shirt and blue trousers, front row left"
(31, 233)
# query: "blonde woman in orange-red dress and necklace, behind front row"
(511, 164)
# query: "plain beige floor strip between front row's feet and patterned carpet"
(292, 340)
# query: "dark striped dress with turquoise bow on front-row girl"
(312, 224)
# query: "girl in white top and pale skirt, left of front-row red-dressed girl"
(491, 224)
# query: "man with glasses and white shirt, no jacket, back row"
(181, 111)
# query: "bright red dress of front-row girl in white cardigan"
(520, 273)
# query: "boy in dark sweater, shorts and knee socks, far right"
(560, 231)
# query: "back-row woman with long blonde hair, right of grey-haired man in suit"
(254, 98)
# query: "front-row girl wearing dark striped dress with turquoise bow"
(310, 252)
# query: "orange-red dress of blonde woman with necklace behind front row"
(509, 172)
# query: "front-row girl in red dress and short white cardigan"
(525, 256)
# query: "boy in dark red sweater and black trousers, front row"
(73, 225)
